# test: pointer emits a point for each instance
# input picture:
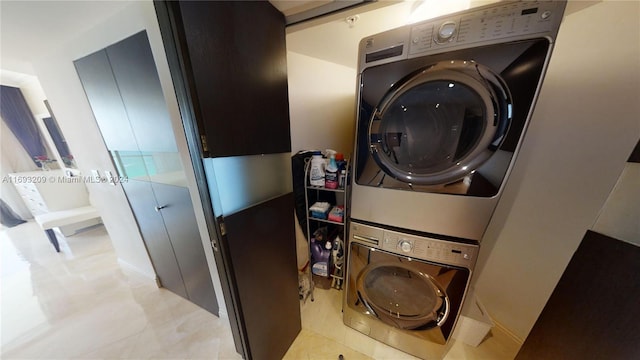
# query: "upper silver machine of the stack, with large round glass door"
(443, 106)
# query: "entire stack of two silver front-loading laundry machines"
(443, 106)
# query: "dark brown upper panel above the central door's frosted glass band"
(239, 71)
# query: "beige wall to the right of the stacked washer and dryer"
(585, 125)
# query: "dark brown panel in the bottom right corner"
(594, 311)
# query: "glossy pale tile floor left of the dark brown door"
(81, 304)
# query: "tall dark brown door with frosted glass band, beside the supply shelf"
(228, 64)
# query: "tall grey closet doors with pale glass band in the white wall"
(123, 88)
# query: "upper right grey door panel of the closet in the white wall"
(138, 82)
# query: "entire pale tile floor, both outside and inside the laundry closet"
(81, 304)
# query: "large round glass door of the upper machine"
(440, 123)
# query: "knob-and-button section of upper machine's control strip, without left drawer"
(488, 23)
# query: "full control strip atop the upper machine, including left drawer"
(486, 25)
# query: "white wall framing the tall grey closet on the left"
(67, 99)
